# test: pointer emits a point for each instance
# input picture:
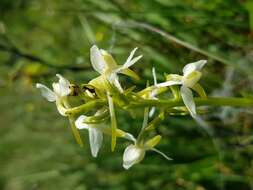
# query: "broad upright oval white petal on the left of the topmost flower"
(97, 60)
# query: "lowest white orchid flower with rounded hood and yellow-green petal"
(135, 153)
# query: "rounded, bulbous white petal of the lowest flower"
(132, 155)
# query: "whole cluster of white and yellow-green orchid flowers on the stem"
(100, 96)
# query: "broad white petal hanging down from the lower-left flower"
(96, 140)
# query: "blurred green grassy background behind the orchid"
(39, 38)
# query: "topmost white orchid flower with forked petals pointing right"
(105, 65)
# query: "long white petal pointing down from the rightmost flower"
(188, 100)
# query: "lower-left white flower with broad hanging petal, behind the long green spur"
(96, 133)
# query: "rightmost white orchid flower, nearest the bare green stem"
(188, 82)
